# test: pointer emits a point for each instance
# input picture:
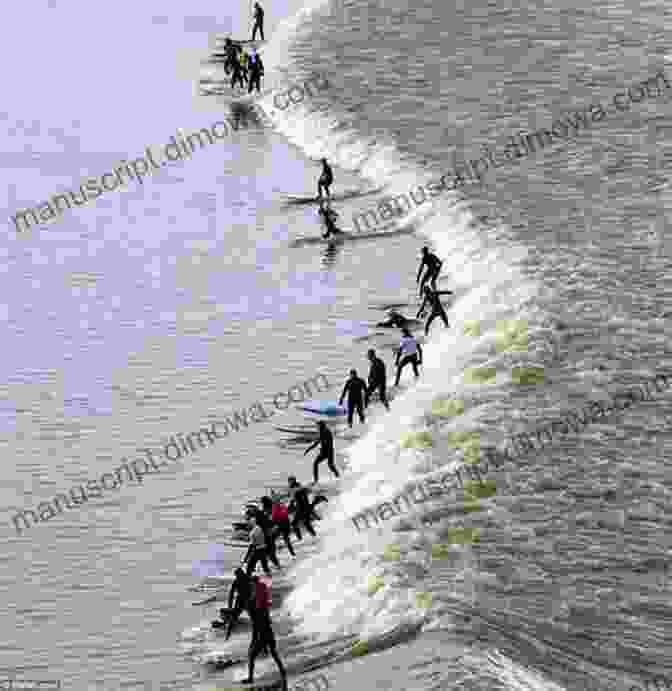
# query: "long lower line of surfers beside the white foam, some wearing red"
(271, 519)
